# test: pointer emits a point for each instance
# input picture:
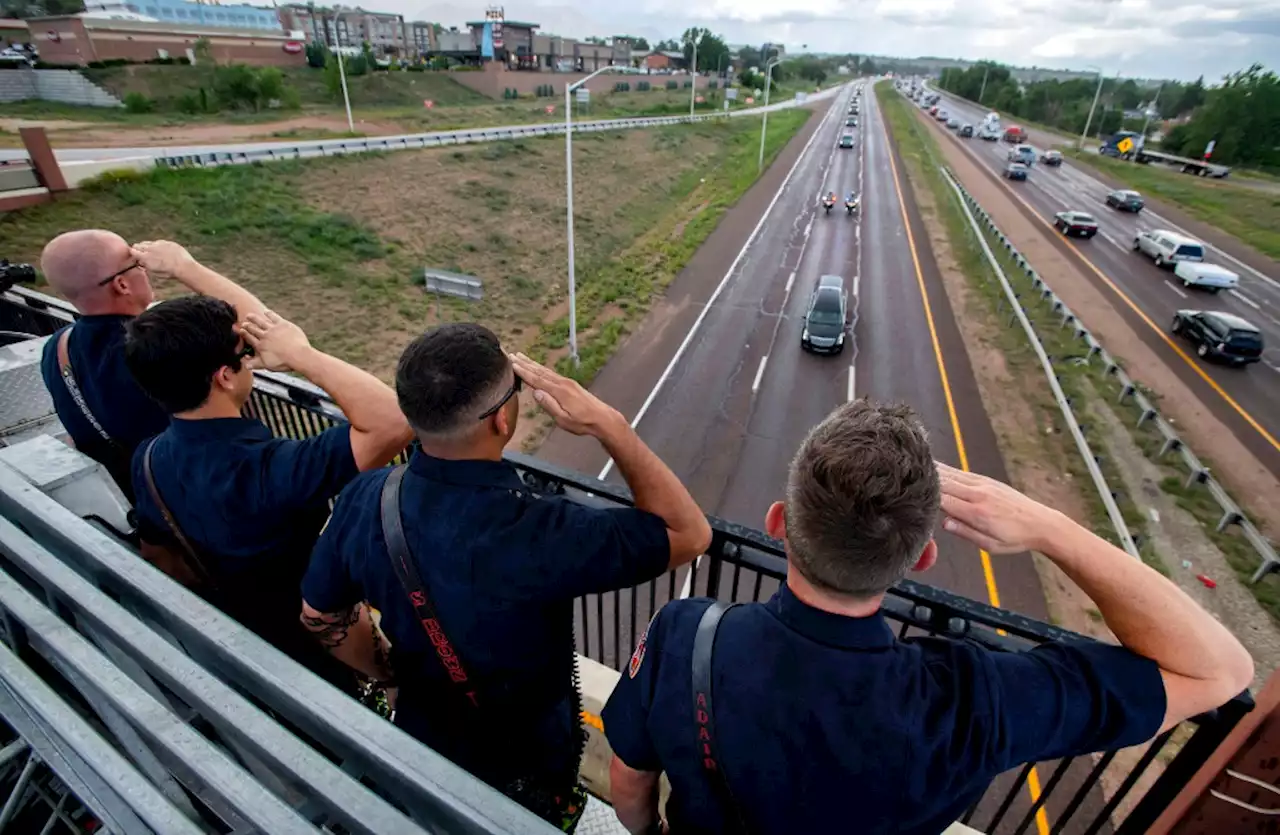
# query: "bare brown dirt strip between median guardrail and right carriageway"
(1237, 468)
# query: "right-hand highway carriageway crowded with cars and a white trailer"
(1247, 399)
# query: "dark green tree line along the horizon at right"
(1242, 115)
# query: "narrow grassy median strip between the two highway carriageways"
(1082, 384)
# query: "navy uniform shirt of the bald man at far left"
(97, 354)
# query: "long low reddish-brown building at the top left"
(83, 39)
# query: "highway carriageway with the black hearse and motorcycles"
(732, 409)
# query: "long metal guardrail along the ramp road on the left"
(336, 148)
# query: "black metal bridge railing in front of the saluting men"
(744, 565)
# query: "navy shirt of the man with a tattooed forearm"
(502, 567)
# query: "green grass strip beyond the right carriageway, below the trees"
(1251, 213)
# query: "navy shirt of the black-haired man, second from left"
(253, 507)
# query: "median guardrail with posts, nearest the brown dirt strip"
(1196, 471)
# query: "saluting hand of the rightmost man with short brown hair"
(993, 515)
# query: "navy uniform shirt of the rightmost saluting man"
(830, 724)
